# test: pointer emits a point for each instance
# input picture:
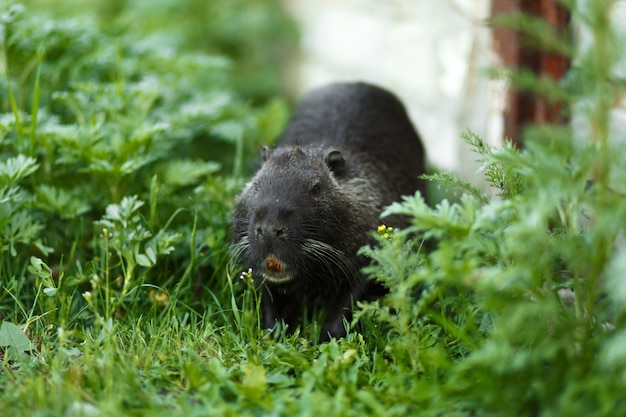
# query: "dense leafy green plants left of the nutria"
(119, 160)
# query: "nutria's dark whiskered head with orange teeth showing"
(289, 218)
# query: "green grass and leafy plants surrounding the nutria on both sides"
(120, 157)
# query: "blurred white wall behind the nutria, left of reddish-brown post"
(431, 53)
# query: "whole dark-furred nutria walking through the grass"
(348, 151)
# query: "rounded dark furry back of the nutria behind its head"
(368, 123)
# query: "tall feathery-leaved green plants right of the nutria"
(517, 308)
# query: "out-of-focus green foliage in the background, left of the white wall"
(257, 35)
